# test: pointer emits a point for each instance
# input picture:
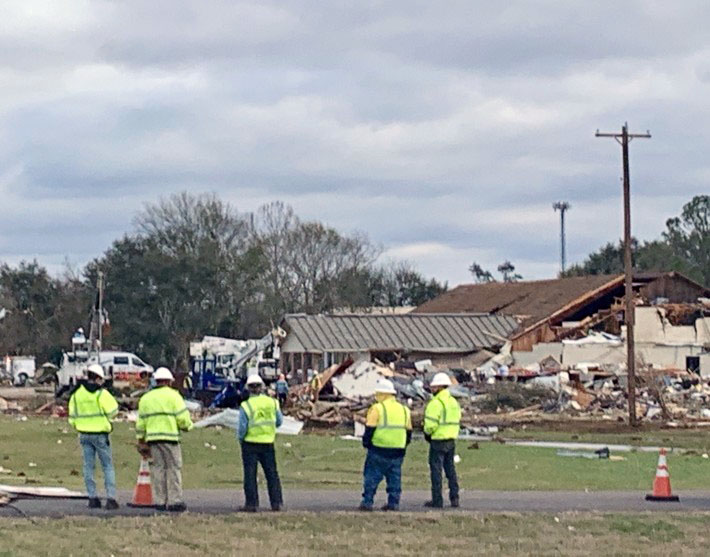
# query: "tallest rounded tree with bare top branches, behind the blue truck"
(189, 271)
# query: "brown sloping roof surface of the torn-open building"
(530, 300)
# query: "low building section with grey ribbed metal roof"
(462, 340)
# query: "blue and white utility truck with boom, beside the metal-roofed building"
(219, 367)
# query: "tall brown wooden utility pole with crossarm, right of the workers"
(624, 138)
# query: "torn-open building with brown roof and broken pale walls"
(578, 321)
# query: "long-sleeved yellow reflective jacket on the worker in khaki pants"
(162, 414)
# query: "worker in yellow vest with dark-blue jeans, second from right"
(388, 431)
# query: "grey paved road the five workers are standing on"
(225, 501)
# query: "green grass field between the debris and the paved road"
(327, 462)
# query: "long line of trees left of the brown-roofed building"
(194, 265)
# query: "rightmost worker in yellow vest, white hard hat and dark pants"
(442, 419)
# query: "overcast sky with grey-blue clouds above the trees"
(444, 130)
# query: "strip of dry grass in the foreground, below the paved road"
(295, 534)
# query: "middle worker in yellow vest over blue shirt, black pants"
(259, 416)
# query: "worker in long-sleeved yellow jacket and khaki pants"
(162, 415)
